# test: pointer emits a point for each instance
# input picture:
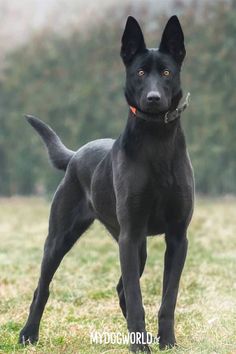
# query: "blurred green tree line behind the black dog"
(74, 82)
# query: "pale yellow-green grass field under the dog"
(83, 297)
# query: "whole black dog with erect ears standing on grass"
(138, 185)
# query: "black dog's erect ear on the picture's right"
(172, 41)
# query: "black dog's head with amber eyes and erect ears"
(153, 75)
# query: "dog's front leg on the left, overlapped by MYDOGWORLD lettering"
(130, 243)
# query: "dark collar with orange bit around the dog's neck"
(166, 117)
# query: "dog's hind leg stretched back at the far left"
(70, 217)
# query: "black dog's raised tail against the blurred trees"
(59, 155)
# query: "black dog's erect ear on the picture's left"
(132, 40)
